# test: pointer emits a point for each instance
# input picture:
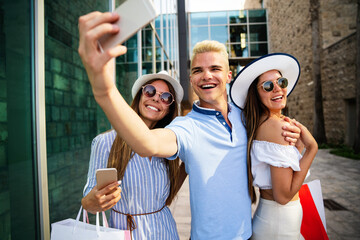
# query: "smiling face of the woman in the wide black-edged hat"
(274, 100)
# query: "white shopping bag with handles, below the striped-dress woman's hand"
(70, 229)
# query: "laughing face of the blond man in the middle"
(209, 75)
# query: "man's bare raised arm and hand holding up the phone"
(100, 69)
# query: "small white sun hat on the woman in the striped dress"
(162, 75)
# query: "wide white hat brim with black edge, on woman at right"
(288, 66)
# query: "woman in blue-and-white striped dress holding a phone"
(148, 184)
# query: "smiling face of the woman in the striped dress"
(151, 109)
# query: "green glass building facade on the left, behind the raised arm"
(48, 116)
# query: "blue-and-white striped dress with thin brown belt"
(145, 188)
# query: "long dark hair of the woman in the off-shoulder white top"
(253, 110)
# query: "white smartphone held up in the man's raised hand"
(134, 15)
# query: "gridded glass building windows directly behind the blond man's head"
(244, 32)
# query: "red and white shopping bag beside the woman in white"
(313, 226)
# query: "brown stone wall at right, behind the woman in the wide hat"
(290, 31)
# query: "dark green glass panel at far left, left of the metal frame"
(19, 205)
